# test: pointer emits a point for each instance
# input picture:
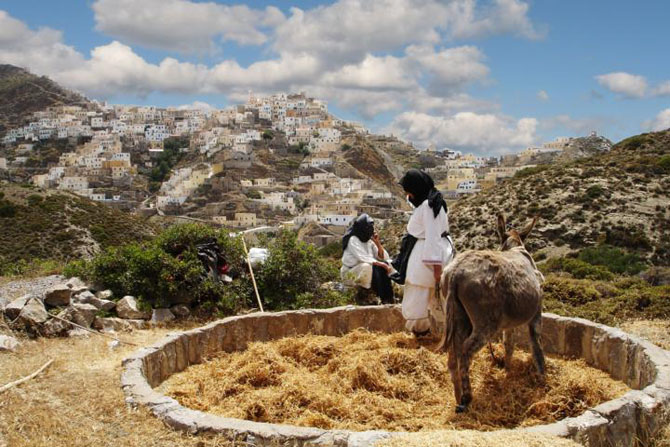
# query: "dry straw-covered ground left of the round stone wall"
(77, 401)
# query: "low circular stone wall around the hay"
(634, 418)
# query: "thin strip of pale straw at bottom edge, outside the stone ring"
(470, 438)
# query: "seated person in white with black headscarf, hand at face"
(365, 263)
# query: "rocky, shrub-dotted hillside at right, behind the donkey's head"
(620, 197)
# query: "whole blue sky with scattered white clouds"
(483, 76)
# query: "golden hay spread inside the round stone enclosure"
(365, 381)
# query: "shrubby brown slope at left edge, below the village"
(56, 225)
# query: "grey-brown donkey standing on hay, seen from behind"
(486, 292)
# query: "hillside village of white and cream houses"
(275, 160)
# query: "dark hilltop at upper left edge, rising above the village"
(22, 93)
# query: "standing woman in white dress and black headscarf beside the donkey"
(431, 253)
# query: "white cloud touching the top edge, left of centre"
(182, 25)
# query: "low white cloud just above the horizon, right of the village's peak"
(489, 133)
